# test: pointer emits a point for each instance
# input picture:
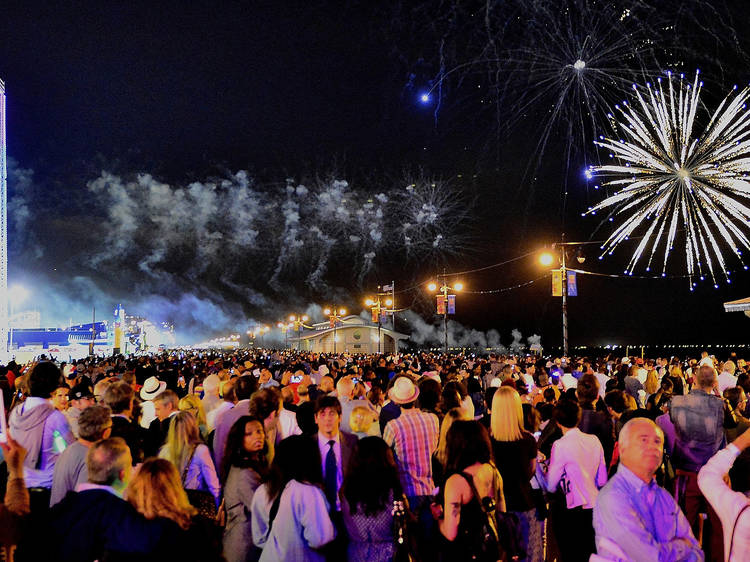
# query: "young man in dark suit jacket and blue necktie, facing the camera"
(335, 447)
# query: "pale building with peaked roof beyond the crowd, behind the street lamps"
(352, 334)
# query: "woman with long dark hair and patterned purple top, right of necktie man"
(367, 496)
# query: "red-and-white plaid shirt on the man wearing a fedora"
(414, 437)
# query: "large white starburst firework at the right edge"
(670, 178)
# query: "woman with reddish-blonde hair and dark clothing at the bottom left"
(156, 493)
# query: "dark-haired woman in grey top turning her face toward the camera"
(245, 464)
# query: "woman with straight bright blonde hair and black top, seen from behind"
(515, 450)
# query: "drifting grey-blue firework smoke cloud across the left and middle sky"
(211, 256)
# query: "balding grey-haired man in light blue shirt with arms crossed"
(634, 518)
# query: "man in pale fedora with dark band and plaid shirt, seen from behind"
(414, 437)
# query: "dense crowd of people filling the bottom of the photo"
(285, 455)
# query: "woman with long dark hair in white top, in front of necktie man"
(290, 518)
